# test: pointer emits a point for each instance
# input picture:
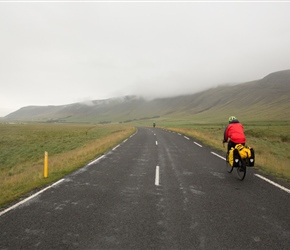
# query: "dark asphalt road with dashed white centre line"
(121, 202)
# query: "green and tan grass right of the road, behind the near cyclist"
(271, 141)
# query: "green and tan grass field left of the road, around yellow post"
(69, 147)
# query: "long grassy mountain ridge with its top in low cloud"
(267, 98)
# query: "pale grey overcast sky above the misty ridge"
(54, 53)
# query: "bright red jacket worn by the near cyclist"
(235, 132)
